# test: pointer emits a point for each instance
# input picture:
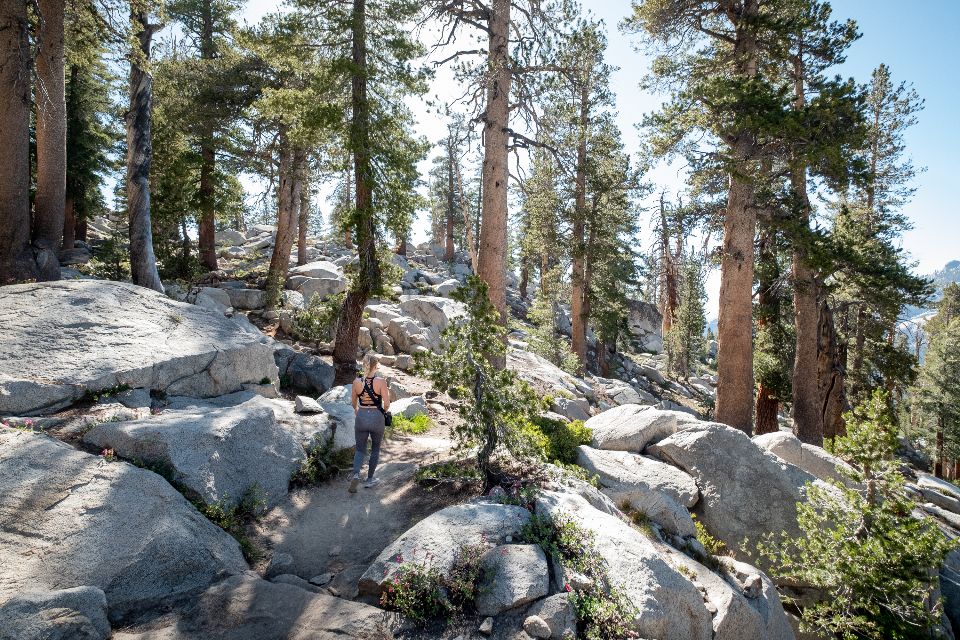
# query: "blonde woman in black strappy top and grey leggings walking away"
(371, 399)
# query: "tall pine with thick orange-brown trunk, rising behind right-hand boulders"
(718, 55)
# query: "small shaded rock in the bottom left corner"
(68, 614)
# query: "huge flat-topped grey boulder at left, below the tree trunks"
(83, 336)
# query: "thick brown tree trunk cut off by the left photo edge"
(16, 258)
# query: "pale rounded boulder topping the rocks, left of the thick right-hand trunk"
(632, 427)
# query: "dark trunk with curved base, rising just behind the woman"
(367, 279)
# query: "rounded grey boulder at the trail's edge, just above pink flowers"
(436, 540)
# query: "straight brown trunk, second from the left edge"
(51, 130)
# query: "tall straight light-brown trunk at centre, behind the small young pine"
(492, 258)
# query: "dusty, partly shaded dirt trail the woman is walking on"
(328, 529)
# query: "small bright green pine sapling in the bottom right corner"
(863, 547)
